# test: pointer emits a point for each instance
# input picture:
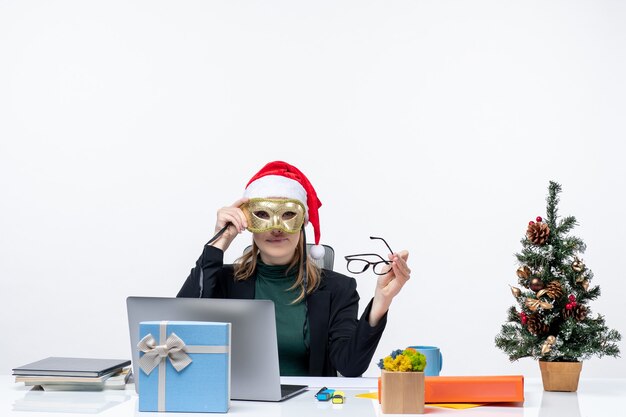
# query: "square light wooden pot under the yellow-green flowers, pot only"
(402, 392)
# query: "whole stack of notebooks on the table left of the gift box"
(75, 374)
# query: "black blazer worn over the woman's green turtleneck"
(339, 342)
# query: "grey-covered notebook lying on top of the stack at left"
(79, 367)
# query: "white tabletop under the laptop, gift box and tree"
(595, 397)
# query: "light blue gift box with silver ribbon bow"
(184, 366)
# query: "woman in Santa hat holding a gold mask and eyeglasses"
(319, 333)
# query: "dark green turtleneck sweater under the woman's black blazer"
(273, 283)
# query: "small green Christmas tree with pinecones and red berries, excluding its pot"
(554, 321)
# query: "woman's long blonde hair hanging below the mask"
(246, 265)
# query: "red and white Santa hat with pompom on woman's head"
(279, 179)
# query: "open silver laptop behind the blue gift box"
(255, 373)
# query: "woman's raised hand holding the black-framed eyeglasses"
(389, 285)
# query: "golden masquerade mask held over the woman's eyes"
(265, 214)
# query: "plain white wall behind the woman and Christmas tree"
(125, 125)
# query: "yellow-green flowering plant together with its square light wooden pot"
(402, 382)
